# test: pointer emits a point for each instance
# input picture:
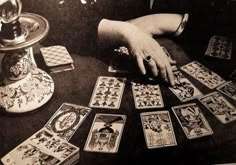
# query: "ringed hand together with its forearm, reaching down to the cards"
(141, 45)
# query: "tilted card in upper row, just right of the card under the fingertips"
(203, 74)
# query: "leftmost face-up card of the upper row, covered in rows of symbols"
(108, 92)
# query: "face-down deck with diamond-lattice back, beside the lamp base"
(57, 58)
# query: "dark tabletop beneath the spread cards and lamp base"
(77, 86)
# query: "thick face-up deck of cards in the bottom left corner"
(43, 147)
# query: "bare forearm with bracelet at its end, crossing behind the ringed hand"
(158, 24)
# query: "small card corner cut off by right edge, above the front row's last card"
(229, 89)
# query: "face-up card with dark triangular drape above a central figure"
(105, 133)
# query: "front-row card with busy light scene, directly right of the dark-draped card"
(158, 129)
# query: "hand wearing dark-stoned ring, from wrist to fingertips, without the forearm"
(149, 55)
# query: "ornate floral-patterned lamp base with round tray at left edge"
(23, 86)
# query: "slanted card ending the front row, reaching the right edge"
(224, 111)
